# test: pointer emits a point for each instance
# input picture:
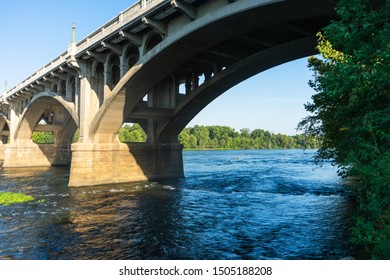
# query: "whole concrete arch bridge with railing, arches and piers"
(159, 63)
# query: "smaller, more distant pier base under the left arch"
(30, 155)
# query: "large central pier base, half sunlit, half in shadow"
(102, 164)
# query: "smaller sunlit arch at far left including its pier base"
(47, 112)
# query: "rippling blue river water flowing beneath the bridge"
(231, 205)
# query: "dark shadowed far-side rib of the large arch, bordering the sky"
(224, 80)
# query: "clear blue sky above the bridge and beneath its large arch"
(35, 32)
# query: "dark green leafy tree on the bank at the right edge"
(351, 113)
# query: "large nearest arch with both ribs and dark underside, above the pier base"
(220, 51)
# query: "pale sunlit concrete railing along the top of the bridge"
(133, 12)
